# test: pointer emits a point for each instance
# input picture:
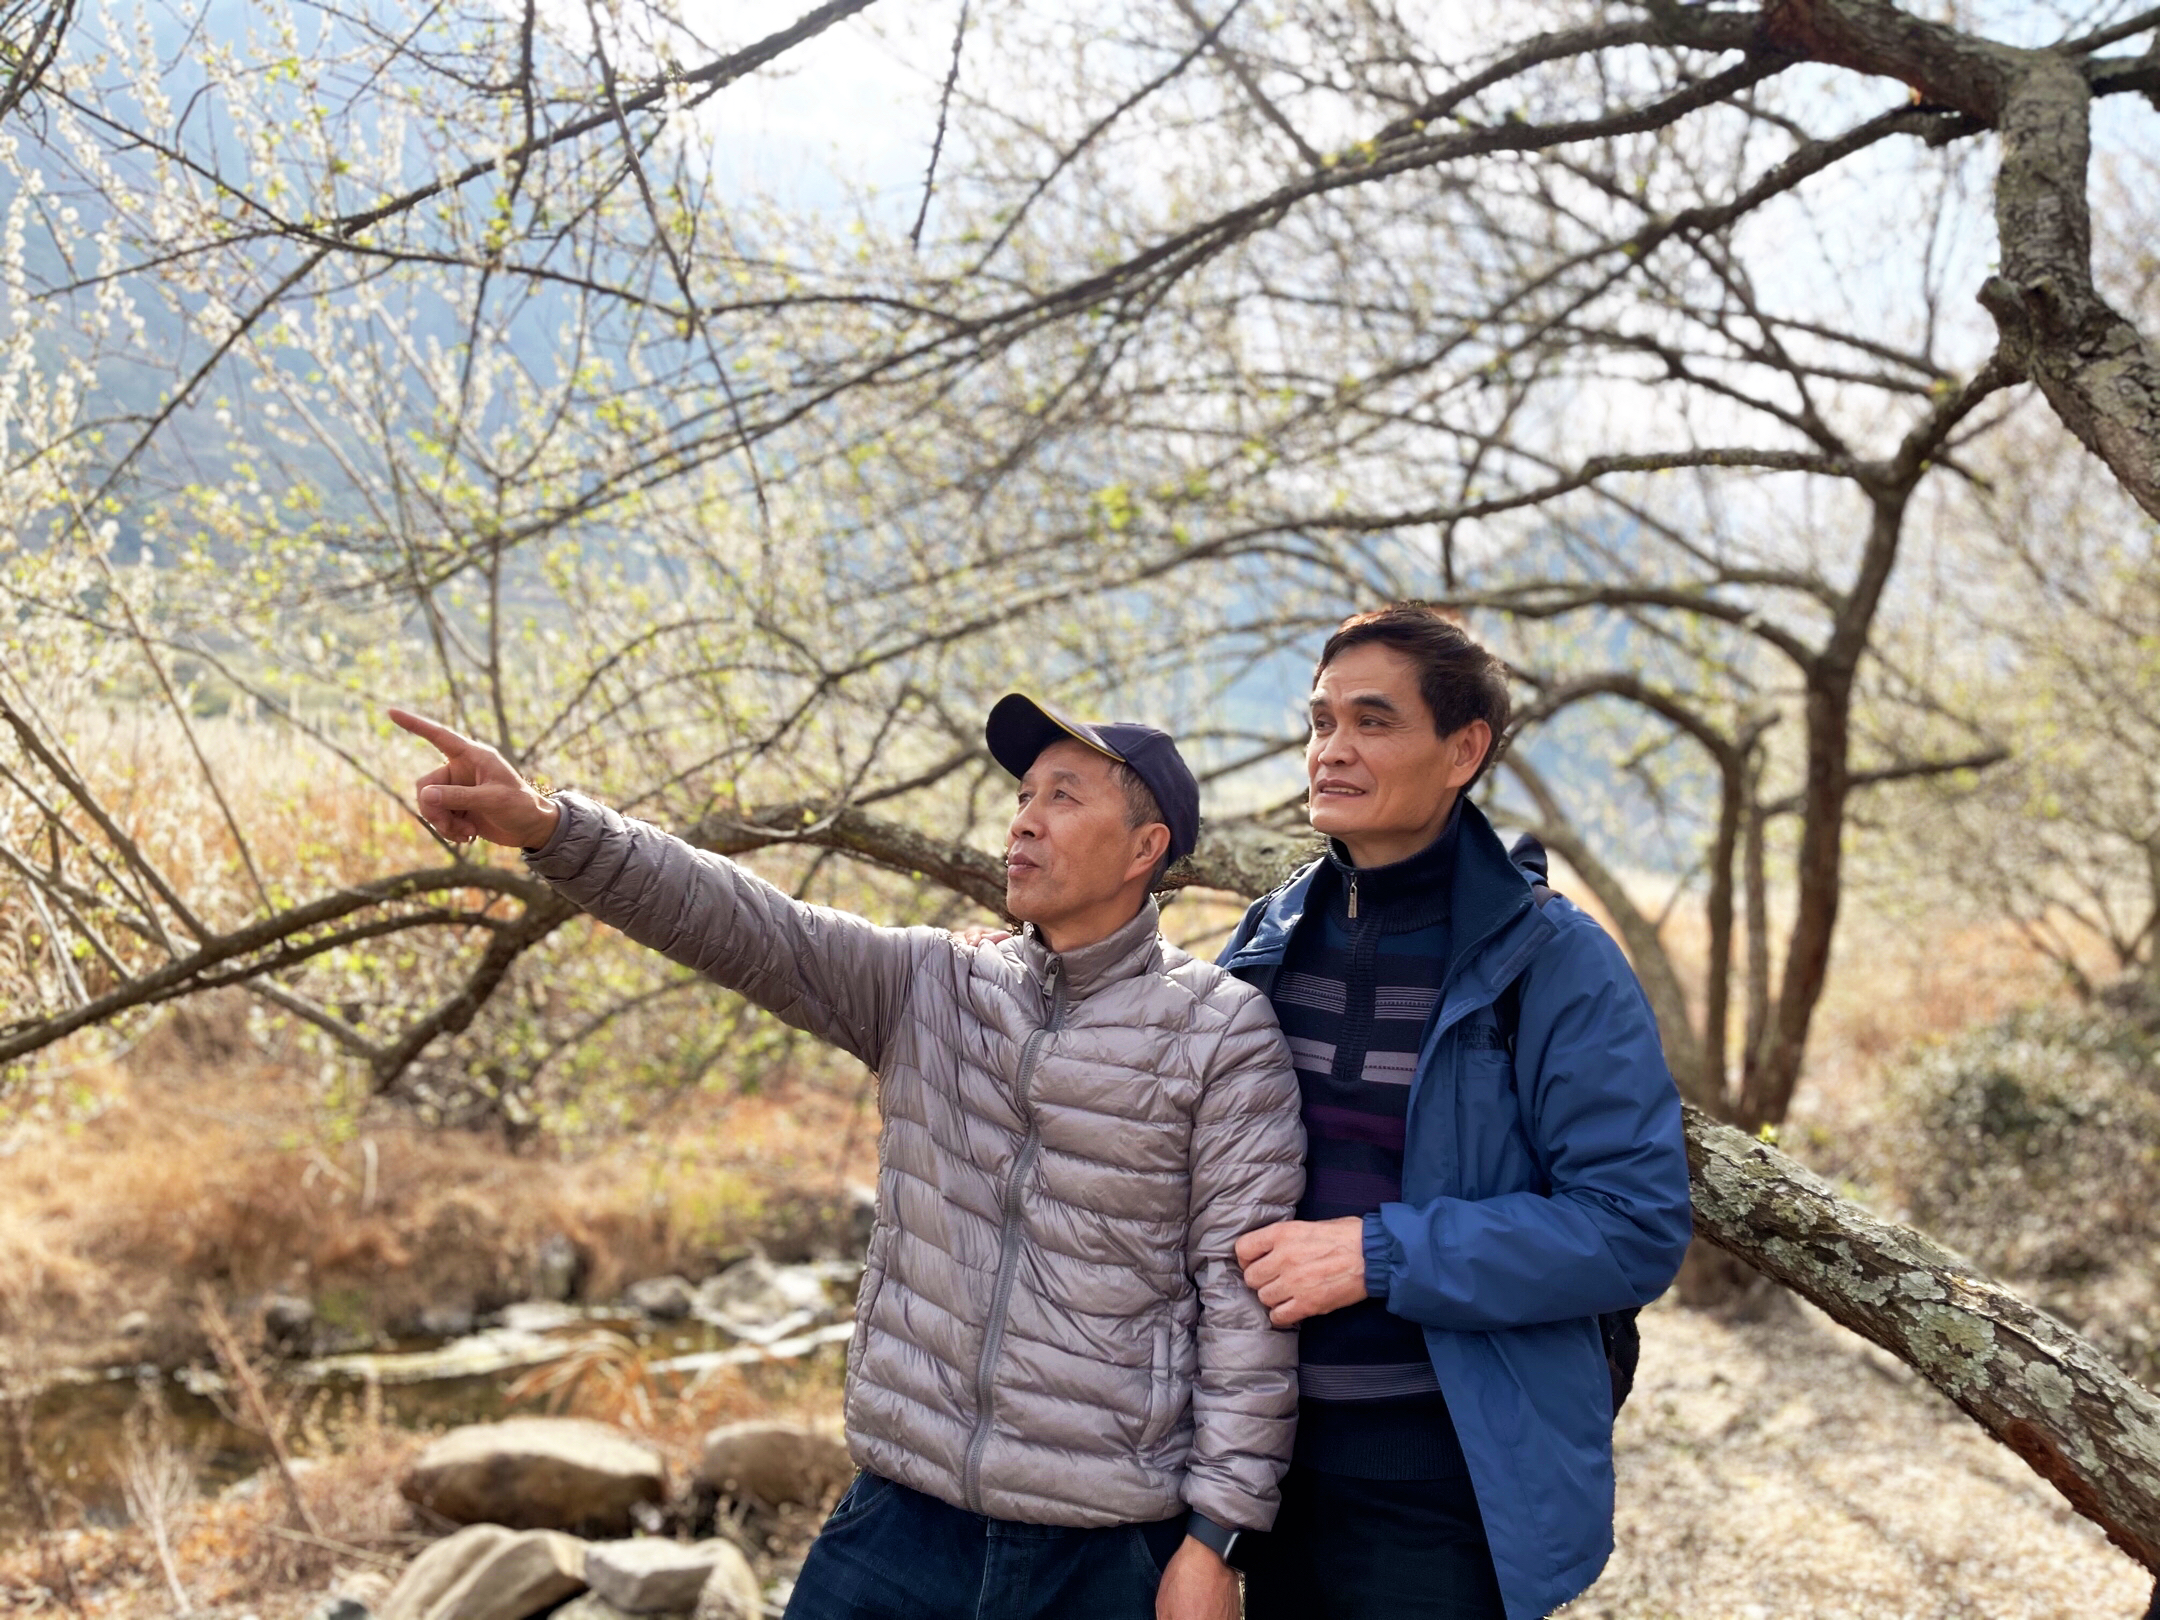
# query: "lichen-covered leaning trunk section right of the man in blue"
(2079, 1420)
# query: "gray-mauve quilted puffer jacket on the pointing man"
(1053, 1325)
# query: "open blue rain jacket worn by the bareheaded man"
(1539, 1189)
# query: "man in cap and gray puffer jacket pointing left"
(1062, 1394)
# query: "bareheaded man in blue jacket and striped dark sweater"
(1496, 1161)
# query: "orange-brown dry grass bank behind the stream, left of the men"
(204, 1165)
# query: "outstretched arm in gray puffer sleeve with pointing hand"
(828, 973)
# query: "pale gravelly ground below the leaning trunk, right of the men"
(1787, 1470)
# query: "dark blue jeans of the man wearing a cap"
(893, 1554)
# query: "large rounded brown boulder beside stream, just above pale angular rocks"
(539, 1474)
